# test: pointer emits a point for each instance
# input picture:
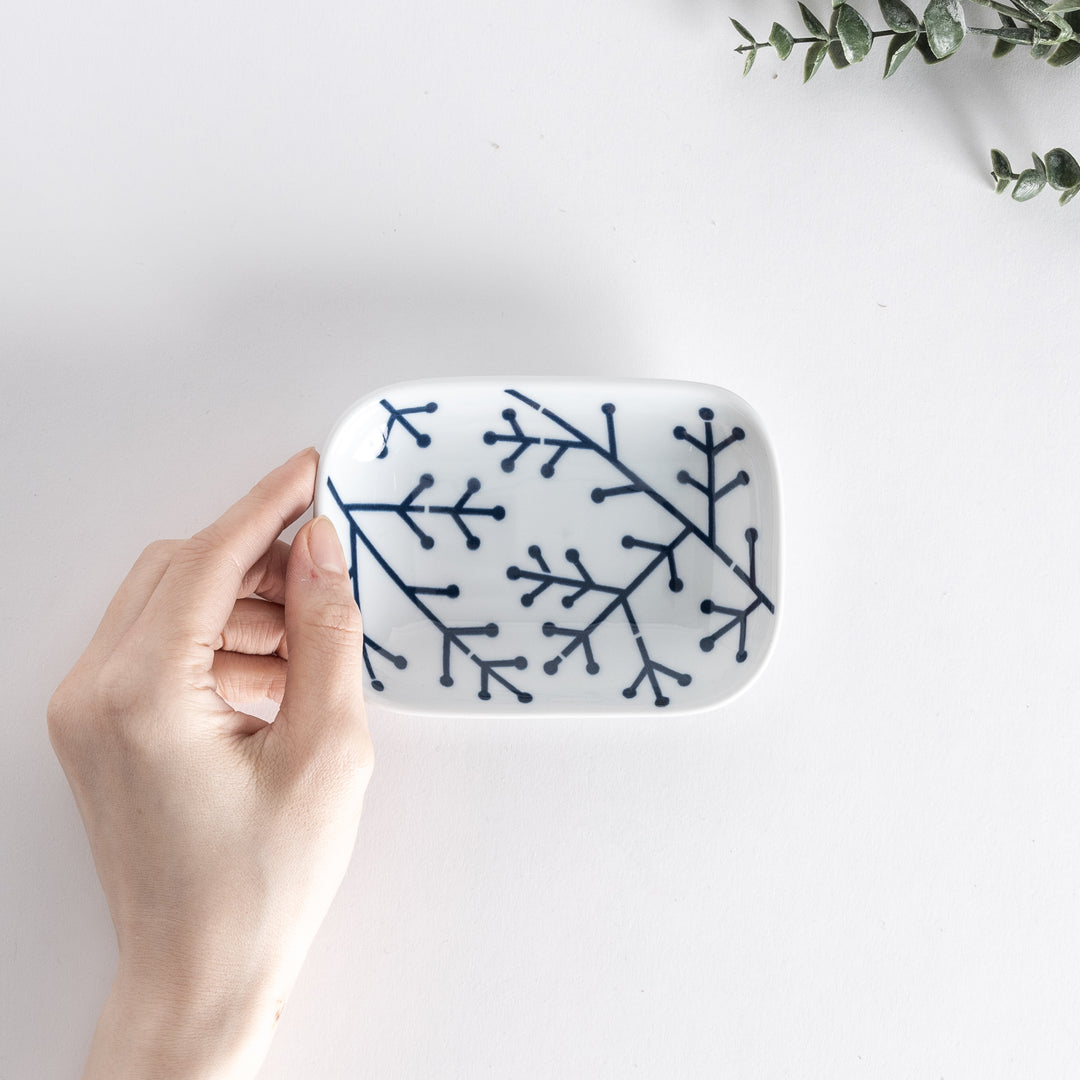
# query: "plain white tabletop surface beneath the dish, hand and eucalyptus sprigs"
(222, 223)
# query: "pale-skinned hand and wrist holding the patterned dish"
(220, 840)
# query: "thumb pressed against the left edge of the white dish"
(323, 700)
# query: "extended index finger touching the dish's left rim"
(197, 593)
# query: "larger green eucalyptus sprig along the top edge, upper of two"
(1051, 32)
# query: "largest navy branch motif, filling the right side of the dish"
(582, 584)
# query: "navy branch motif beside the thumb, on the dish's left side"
(453, 638)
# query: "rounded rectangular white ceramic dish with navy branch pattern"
(532, 547)
